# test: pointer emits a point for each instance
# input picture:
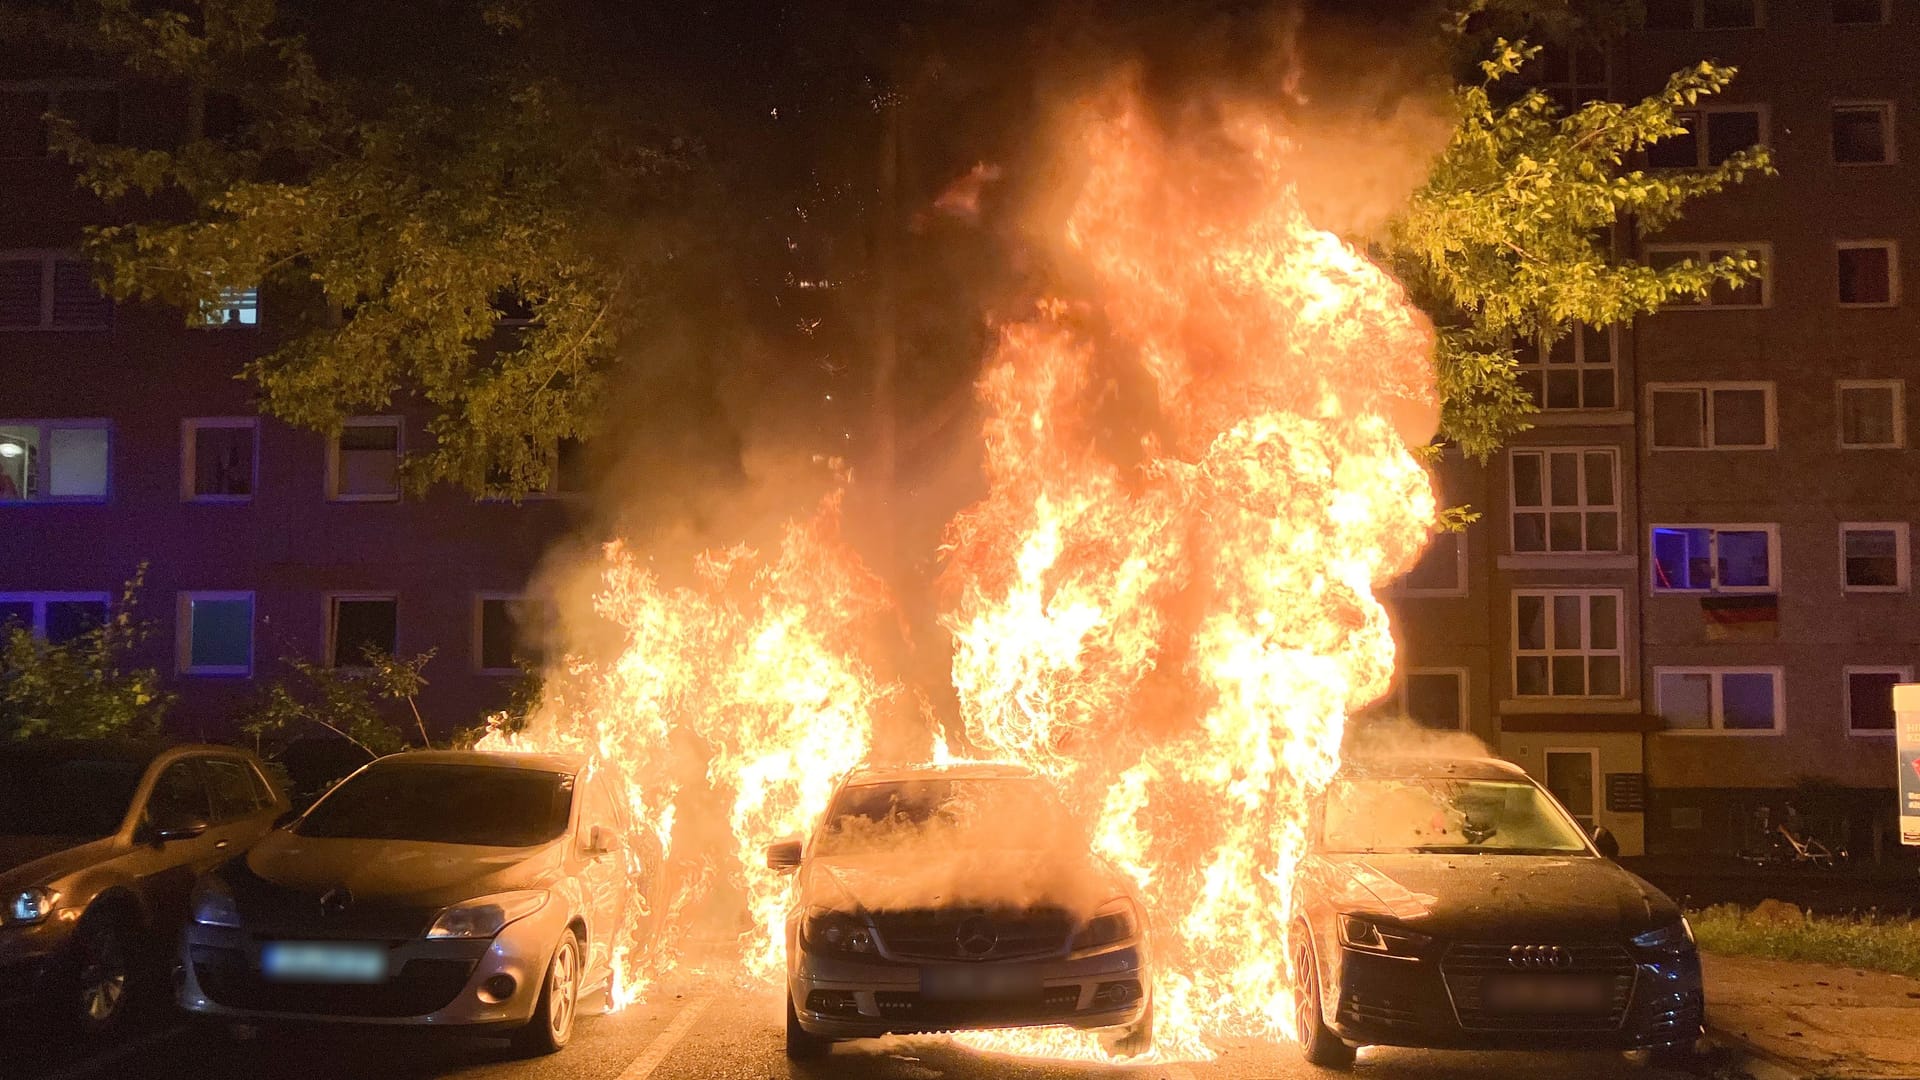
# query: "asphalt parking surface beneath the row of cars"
(706, 1027)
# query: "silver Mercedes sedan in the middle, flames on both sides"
(951, 898)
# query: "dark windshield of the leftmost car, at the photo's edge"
(66, 797)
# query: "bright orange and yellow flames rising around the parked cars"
(1199, 468)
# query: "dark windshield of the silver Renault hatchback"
(446, 804)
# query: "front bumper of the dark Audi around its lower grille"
(1658, 1002)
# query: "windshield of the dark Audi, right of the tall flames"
(1451, 816)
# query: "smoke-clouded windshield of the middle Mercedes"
(949, 814)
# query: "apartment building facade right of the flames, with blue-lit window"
(1691, 591)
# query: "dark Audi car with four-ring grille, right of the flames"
(1456, 904)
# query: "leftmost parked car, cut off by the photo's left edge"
(99, 850)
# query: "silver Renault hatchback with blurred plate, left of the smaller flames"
(429, 889)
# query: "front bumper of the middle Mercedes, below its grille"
(867, 998)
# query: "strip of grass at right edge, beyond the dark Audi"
(1858, 941)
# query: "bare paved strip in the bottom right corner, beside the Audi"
(1798, 1019)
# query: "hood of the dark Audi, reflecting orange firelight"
(1500, 898)
